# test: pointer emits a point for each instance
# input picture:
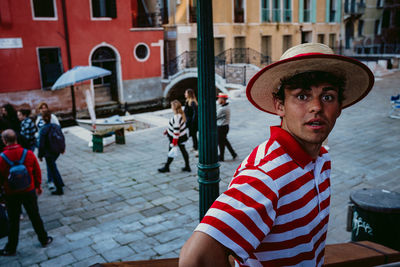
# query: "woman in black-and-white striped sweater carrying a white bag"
(177, 134)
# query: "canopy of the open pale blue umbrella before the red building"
(79, 74)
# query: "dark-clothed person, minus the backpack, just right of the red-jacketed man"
(45, 151)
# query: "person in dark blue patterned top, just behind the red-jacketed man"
(28, 130)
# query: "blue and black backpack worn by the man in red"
(18, 178)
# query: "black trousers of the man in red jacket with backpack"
(14, 203)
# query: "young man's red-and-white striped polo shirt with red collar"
(276, 209)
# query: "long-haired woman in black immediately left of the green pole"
(191, 113)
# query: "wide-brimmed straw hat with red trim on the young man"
(309, 57)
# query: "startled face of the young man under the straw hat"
(309, 114)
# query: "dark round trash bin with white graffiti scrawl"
(376, 217)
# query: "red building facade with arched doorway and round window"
(41, 39)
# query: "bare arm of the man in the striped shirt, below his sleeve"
(203, 250)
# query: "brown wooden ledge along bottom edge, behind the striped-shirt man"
(354, 254)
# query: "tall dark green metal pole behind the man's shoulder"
(208, 167)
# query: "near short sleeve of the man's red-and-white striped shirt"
(243, 215)
